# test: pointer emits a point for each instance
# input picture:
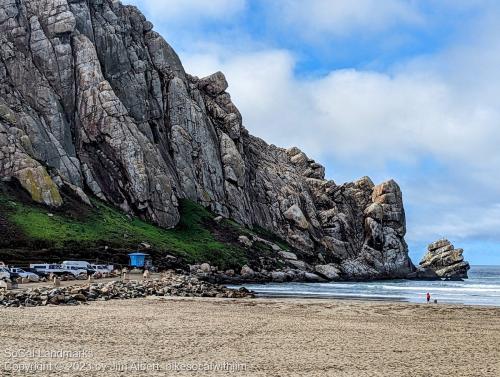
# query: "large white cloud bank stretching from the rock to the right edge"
(358, 114)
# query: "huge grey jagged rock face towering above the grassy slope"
(93, 98)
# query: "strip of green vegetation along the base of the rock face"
(193, 238)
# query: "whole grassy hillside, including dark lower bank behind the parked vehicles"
(79, 229)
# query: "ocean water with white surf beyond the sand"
(482, 288)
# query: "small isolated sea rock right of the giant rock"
(446, 261)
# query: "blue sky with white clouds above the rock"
(400, 89)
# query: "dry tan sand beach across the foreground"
(254, 337)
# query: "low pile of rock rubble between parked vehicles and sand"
(168, 285)
